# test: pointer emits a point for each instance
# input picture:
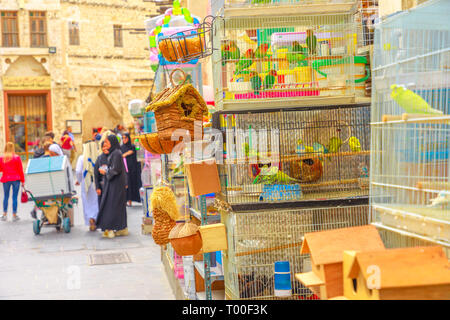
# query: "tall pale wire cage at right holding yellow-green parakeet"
(410, 181)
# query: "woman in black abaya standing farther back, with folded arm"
(134, 169)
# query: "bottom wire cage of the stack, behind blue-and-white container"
(258, 239)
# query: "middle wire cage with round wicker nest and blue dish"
(295, 155)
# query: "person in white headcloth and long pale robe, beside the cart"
(85, 177)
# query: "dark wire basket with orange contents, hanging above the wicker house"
(190, 44)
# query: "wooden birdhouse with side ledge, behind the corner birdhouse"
(326, 249)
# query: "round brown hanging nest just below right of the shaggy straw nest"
(185, 238)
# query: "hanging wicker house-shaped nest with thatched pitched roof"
(178, 107)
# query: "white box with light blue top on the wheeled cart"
(49, 177)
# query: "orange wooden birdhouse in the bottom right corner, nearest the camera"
(419, 273)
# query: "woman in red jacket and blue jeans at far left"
(13, 177)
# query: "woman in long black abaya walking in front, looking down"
(112, 216)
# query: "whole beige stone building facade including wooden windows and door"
(70, 60)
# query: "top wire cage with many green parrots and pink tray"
(276, 57)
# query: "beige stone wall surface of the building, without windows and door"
(93, 72)
